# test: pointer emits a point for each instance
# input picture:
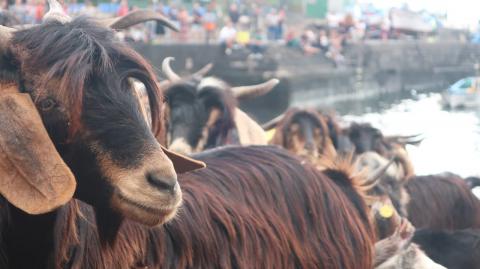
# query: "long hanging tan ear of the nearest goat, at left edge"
(33, 176)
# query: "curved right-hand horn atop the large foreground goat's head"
(136, 17)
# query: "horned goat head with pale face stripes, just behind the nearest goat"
(202, 113)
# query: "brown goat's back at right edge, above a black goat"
(442, 202)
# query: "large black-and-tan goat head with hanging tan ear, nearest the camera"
(71, 123)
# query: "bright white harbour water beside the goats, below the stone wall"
(451, 138)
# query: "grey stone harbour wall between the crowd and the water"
(370, 69)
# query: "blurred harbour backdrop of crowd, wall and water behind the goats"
(407, 67)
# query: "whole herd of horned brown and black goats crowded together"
(104, 166)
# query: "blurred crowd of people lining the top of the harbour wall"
(246, 25)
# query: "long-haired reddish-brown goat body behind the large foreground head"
(253, 207)
